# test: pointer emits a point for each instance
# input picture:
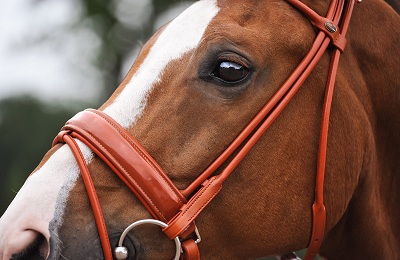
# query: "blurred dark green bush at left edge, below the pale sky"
(27, 128)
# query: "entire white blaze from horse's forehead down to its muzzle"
(44, 193)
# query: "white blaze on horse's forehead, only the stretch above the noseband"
(181, 36)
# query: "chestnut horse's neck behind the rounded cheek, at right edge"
(371, 227)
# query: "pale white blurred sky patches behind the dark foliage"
(40, 54)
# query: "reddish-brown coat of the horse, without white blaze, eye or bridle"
(264, 207)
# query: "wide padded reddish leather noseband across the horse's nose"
(129, 160)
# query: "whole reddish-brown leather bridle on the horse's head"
(176, 210)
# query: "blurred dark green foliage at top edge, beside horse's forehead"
(110, 21)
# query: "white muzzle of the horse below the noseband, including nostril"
(37, 210)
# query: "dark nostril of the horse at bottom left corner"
(38, 248)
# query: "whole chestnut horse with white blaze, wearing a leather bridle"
(195, 85)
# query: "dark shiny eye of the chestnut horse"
(230, 72)
